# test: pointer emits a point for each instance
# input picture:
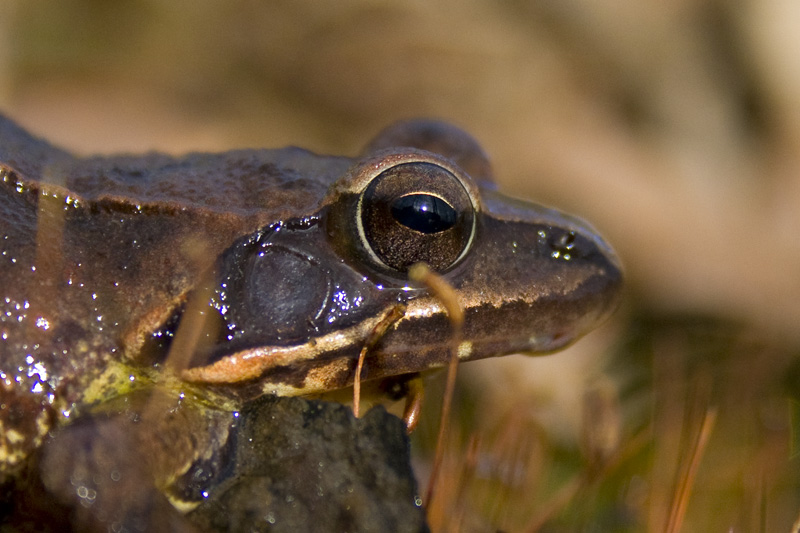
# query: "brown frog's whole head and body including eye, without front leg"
(288, 259)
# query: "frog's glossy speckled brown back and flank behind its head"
(96, 252)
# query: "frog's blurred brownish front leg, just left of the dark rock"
(132, 465)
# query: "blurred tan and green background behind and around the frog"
(674, 127)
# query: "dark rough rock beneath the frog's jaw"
(304, 465)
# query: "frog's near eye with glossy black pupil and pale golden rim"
(416, 211)
